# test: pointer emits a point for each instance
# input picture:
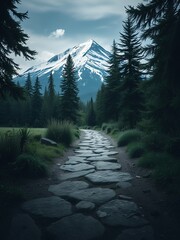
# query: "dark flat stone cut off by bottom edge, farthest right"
(144, 233)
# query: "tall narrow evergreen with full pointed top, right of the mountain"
(131, 97)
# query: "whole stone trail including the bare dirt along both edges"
(95, 192)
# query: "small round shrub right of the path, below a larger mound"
(135, 149)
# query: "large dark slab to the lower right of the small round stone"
(122, 213)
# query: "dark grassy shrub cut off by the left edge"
(10, 146)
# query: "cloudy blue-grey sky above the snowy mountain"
(56, 25)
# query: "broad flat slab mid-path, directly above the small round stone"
(96, 195)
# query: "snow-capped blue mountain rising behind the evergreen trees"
(90, 60)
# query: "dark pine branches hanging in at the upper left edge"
(13, 41)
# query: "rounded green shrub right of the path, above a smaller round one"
(129, 136)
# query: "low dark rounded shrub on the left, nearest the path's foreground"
(31, 166)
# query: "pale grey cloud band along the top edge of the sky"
(84, 10)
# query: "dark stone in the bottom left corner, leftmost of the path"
(23, 227)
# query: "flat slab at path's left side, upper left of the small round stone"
(65, 188)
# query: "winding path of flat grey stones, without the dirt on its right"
(86, 204)
